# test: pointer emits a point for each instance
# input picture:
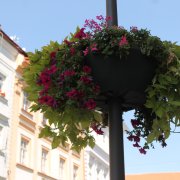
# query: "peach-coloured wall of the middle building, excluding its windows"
(29, 125)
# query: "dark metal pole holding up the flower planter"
(116, 144)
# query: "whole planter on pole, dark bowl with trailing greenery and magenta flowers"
(66, 82)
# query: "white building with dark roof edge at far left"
(9, 52)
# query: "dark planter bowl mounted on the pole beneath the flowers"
(125, 78)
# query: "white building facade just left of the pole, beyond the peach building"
(97, 159)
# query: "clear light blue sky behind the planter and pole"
(36, 22)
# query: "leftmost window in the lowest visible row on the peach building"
(24, 151)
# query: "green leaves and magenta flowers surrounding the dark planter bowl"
(62, 87)
